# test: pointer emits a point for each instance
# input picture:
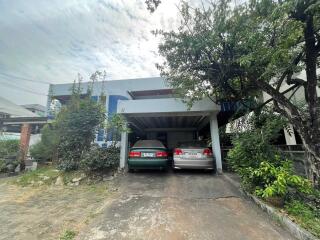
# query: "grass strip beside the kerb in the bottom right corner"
(305, 216)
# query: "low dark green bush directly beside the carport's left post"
(101, 159)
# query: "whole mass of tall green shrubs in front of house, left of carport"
(69, 138)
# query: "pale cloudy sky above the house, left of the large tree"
(51, 41)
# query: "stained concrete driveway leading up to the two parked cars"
(185, 205)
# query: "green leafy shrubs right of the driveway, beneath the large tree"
(262, 168)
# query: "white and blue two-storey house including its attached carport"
(152, 112)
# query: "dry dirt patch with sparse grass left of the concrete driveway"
(47, 211)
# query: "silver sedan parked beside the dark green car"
(193, 155)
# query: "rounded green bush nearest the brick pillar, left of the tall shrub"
(46, 149)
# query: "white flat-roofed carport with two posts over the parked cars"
(151, 117)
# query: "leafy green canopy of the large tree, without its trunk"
(223, 50)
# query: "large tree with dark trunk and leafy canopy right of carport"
(233, 53)
